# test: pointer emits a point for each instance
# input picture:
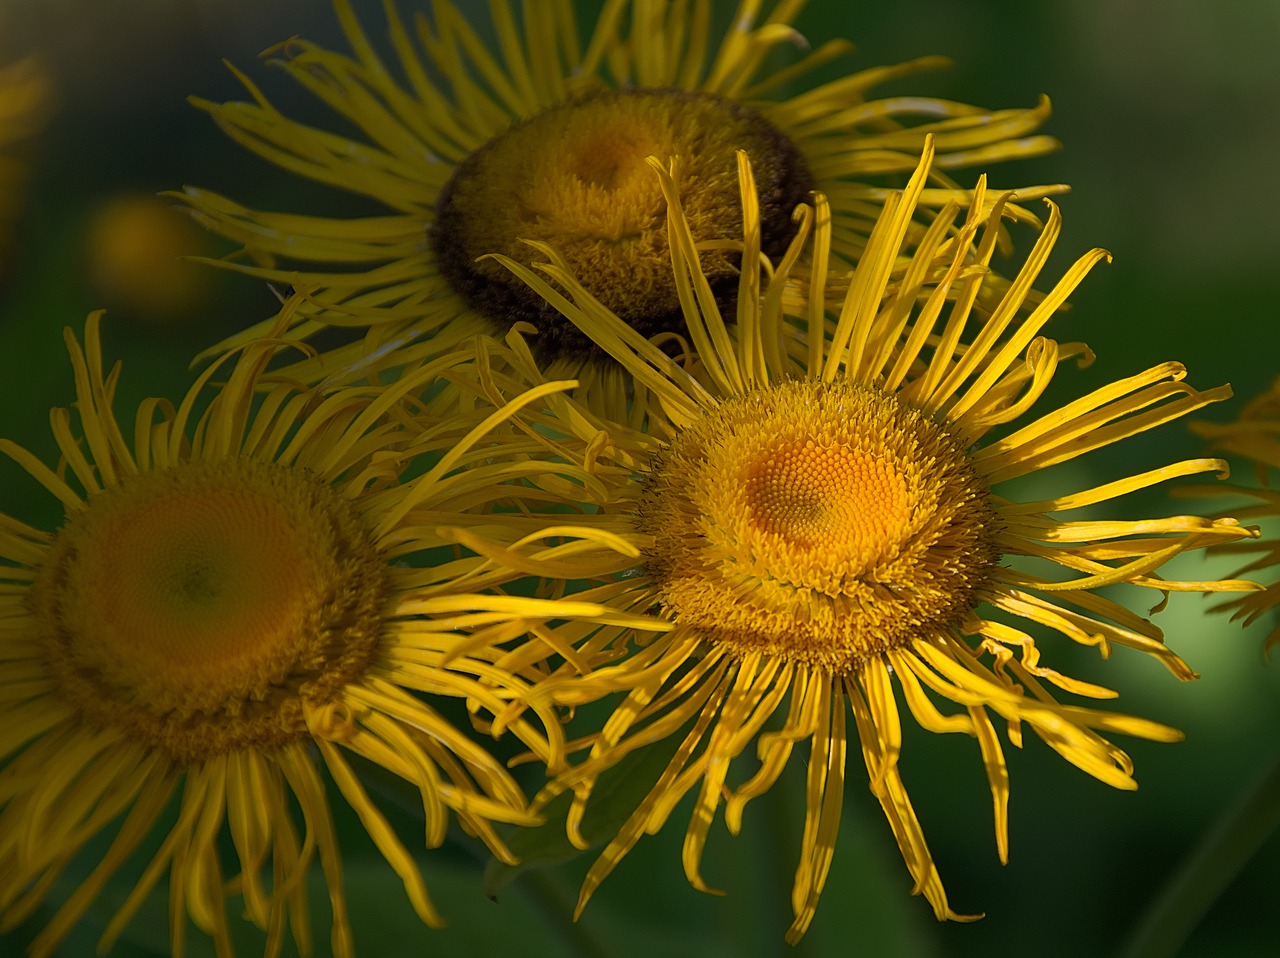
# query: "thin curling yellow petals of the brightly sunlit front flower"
(916, 336)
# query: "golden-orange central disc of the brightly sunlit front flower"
(820, 522)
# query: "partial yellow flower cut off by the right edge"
(1255, 436)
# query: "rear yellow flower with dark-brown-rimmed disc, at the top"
(546, 139)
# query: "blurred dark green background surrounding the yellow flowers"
(1169, 117)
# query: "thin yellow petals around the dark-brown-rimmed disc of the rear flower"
(446, 97)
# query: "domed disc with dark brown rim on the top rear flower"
(577, 179)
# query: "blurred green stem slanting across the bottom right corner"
(1212, 866)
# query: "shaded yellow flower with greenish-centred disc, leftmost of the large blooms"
(237, 601)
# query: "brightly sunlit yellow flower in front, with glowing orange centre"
(825, 522)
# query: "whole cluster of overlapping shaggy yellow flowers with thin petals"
(647, 391)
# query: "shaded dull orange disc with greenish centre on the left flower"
(199, 606)
